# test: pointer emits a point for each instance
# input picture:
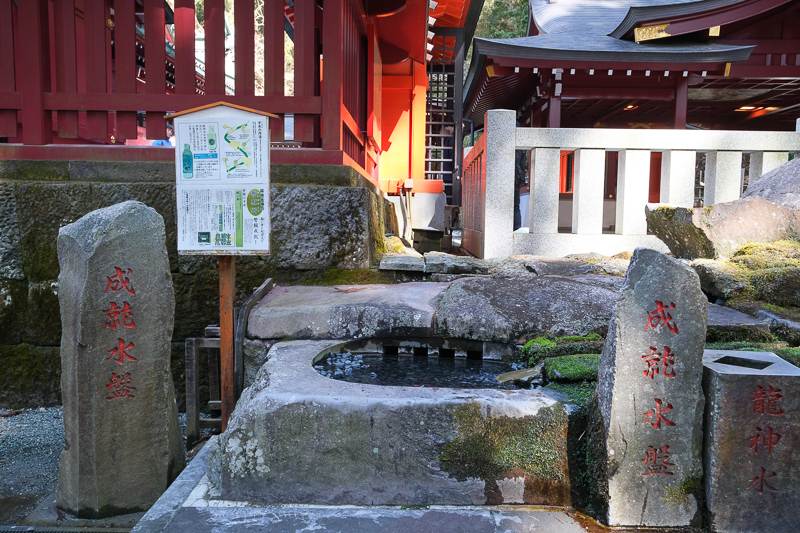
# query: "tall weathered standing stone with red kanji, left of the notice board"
(123, 444)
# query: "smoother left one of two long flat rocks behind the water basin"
(346, 311)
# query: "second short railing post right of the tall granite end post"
(587, 189)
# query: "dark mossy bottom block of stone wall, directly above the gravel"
(30, 377)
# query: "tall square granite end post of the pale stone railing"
(500, 131)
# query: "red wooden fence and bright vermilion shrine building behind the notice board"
(376, 82)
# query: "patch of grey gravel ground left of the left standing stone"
(31, 443)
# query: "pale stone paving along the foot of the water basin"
(190, 506)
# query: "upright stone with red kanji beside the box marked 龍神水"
(650, 395)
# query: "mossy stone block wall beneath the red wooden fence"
(323, 217)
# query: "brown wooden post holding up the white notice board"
(227, 293)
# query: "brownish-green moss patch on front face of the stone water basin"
(486, 448)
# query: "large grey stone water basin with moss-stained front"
(299, 437)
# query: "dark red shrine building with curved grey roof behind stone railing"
(711, 64)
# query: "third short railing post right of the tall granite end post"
(633, 187)
